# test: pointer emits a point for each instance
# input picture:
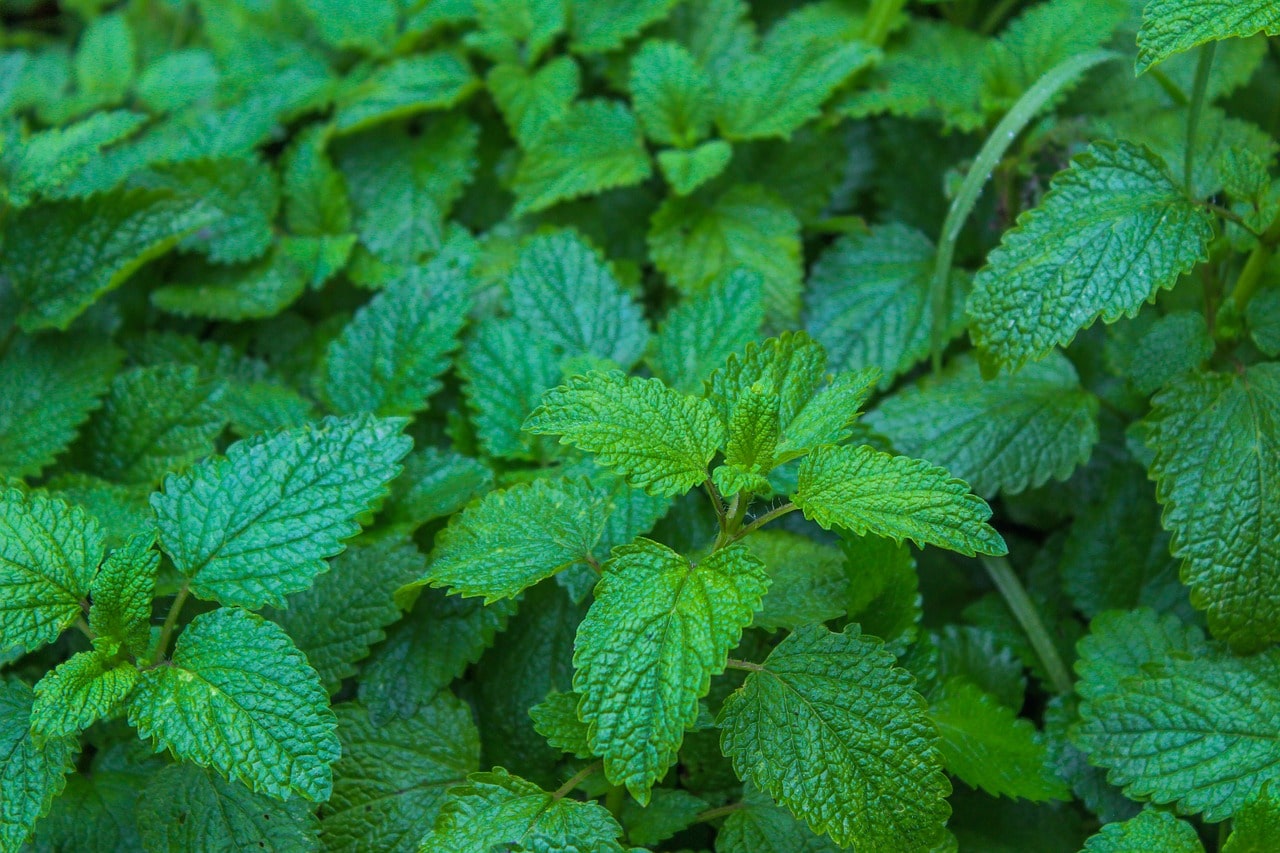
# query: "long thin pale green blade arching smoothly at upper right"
(993, 152)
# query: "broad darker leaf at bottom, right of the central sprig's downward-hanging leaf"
(857, 759)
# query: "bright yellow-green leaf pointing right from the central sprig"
(866, 491)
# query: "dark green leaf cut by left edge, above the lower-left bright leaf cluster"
(52, 385)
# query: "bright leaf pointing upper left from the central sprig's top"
(656, 437)
